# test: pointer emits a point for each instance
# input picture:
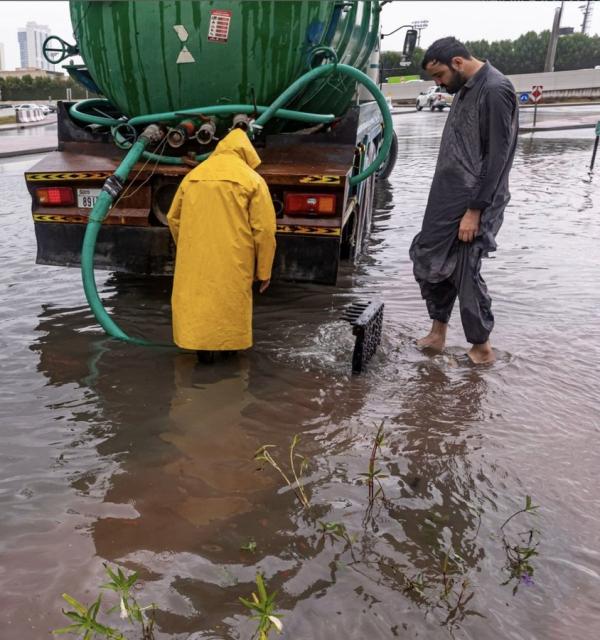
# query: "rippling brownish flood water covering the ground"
(137, 457)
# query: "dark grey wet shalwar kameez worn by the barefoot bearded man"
(475, 157)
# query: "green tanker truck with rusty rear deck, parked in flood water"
(172, 78)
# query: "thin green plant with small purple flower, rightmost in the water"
(519, 553)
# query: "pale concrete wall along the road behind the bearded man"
(580, 83)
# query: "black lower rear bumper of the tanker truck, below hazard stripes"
(150, 251)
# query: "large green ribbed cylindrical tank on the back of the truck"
(153, 57)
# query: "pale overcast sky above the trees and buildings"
(473, 20)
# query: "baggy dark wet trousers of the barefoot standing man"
(467, 284)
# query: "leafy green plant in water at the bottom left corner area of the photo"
(85, 623)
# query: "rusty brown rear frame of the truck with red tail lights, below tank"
(303, 171)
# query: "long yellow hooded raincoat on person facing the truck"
(223, 222)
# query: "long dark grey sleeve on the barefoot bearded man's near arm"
(497, 140)
